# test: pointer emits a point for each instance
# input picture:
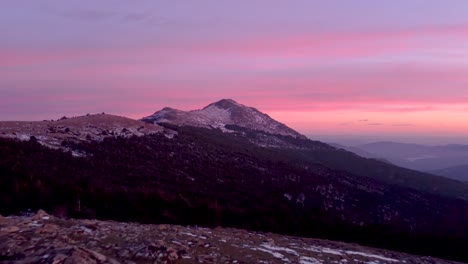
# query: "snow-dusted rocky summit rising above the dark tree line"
(219, 115)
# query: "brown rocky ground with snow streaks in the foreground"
(42, 238)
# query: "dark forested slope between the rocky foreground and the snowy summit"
(209, 178)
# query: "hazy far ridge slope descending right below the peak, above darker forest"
(303, 152)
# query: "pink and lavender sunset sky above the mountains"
(360, 67)
